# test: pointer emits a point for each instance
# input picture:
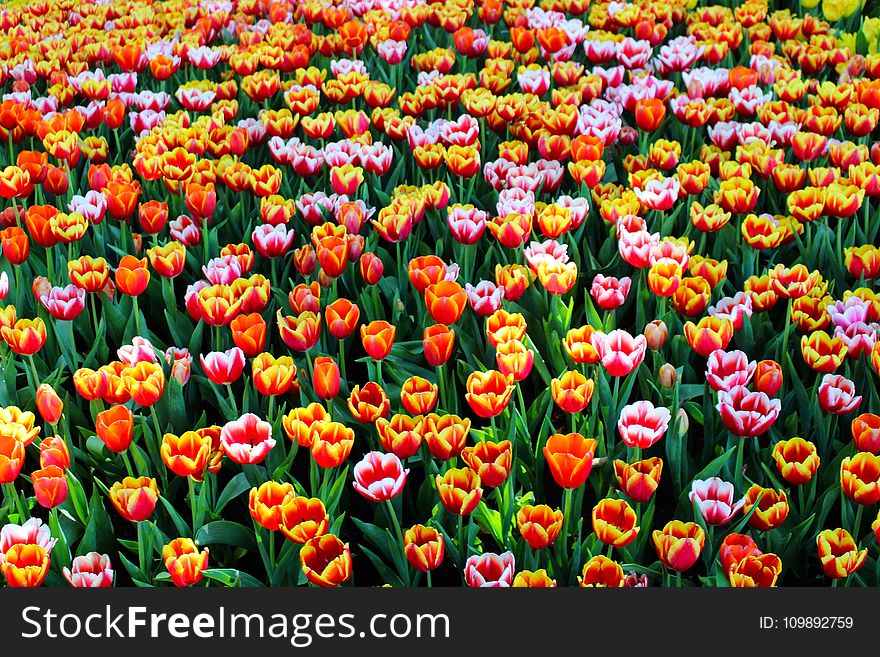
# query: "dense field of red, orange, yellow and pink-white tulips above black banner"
(414, 293)
